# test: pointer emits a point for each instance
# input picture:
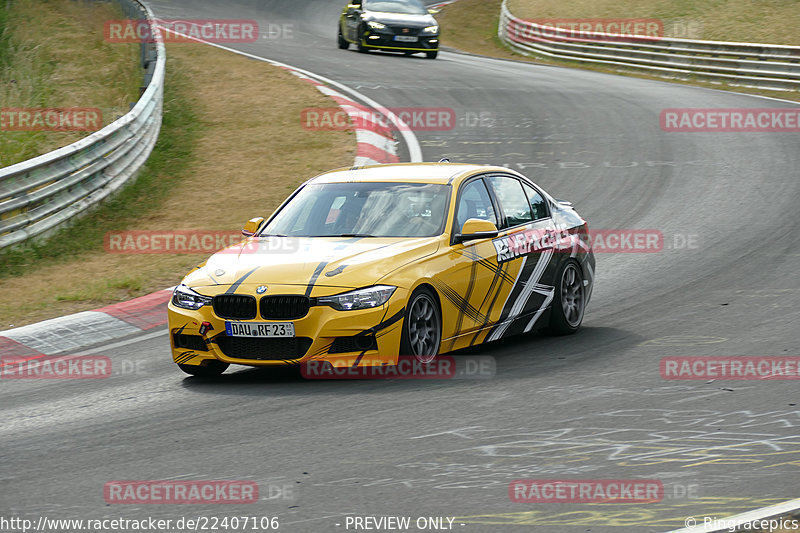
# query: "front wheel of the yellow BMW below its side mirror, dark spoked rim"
(422, 327)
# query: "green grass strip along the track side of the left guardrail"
(170, 158)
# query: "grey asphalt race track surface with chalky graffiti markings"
(590, 406)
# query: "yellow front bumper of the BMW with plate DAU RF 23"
(368, 337)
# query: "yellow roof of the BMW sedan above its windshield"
(404, 172)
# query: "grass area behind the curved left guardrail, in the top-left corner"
(52, 54)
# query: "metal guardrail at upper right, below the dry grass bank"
(762, 66)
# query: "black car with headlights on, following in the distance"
(394, 25)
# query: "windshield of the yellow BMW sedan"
(363, 210)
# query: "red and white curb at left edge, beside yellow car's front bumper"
(73, 332)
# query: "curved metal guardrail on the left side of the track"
(40, 195)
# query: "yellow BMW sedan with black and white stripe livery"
(362, 265)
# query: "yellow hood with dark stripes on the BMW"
(328, 261)
